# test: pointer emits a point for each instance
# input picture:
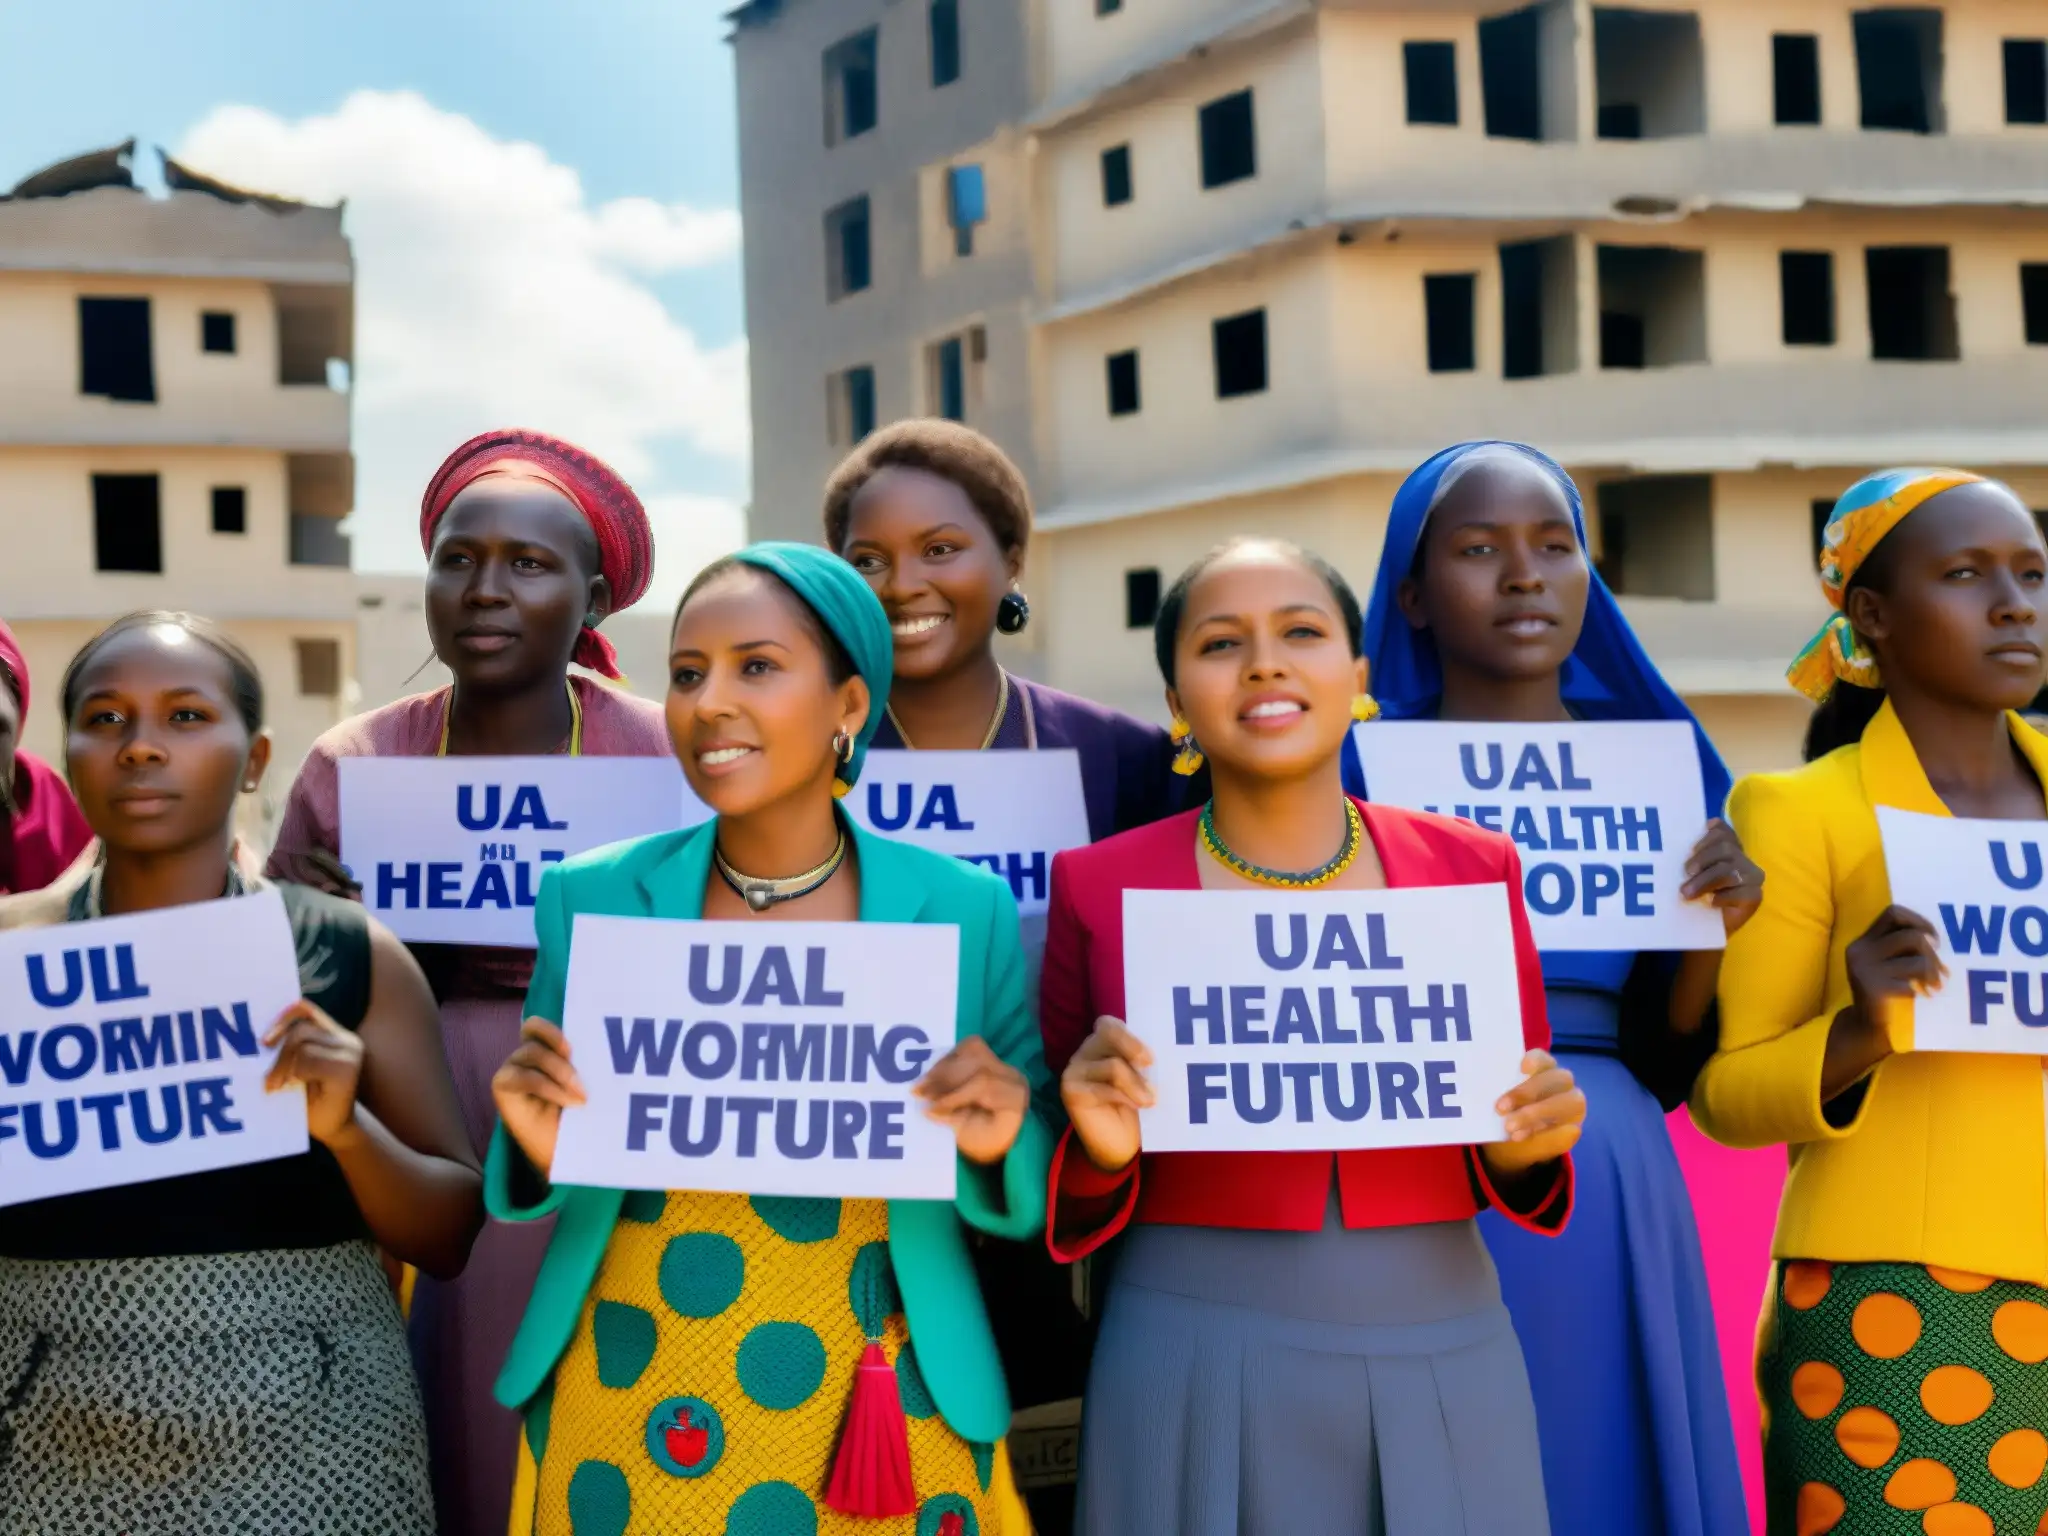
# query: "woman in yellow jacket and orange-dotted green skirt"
(1902, 1357)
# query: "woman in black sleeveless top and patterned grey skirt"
(220, 1353)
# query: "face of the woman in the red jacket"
(1265, 671)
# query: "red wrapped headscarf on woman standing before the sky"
(626, 540)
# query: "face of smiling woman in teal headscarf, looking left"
(753, 708)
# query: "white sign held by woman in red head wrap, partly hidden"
(450, 851)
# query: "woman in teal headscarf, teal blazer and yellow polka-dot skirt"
(701, 1361)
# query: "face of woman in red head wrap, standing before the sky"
(511, 579)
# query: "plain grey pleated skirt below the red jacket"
(1338, 1383)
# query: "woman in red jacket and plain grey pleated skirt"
(1293, 1340)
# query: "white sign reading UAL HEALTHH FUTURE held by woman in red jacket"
(1324, 1021)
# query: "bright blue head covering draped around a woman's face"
(1607, 677)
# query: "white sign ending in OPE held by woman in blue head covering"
(1605, 816)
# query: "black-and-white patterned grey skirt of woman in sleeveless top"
(263, 1394)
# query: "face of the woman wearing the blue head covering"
(1504, 581)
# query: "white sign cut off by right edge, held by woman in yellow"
(1986, 890)
